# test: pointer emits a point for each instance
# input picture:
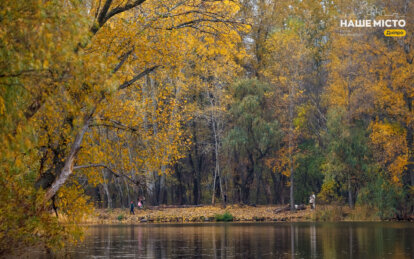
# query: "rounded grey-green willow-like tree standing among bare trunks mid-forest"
(253, 135)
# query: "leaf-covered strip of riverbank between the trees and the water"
(238, 213)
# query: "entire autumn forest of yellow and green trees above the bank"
(181, 102)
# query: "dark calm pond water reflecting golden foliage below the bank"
(248, 240)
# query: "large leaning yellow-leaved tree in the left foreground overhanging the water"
(76, 73)
